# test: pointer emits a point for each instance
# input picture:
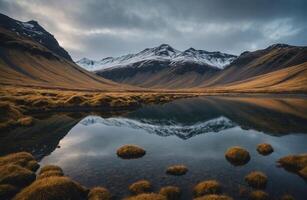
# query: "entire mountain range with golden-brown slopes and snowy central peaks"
(30, 56)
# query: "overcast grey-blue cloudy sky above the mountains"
(101, 28)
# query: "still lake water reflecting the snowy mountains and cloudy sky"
(195, 132)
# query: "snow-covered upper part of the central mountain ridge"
(163, 52)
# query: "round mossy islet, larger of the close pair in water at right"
(237, 156)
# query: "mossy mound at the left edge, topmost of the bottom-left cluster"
(22, 159)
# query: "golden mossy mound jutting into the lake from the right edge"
(295, 163)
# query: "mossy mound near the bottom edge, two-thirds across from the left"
(207, 187)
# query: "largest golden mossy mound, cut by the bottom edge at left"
(59, 188)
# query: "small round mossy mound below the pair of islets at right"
(256, 179)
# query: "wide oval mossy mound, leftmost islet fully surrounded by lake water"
(130, 151)
